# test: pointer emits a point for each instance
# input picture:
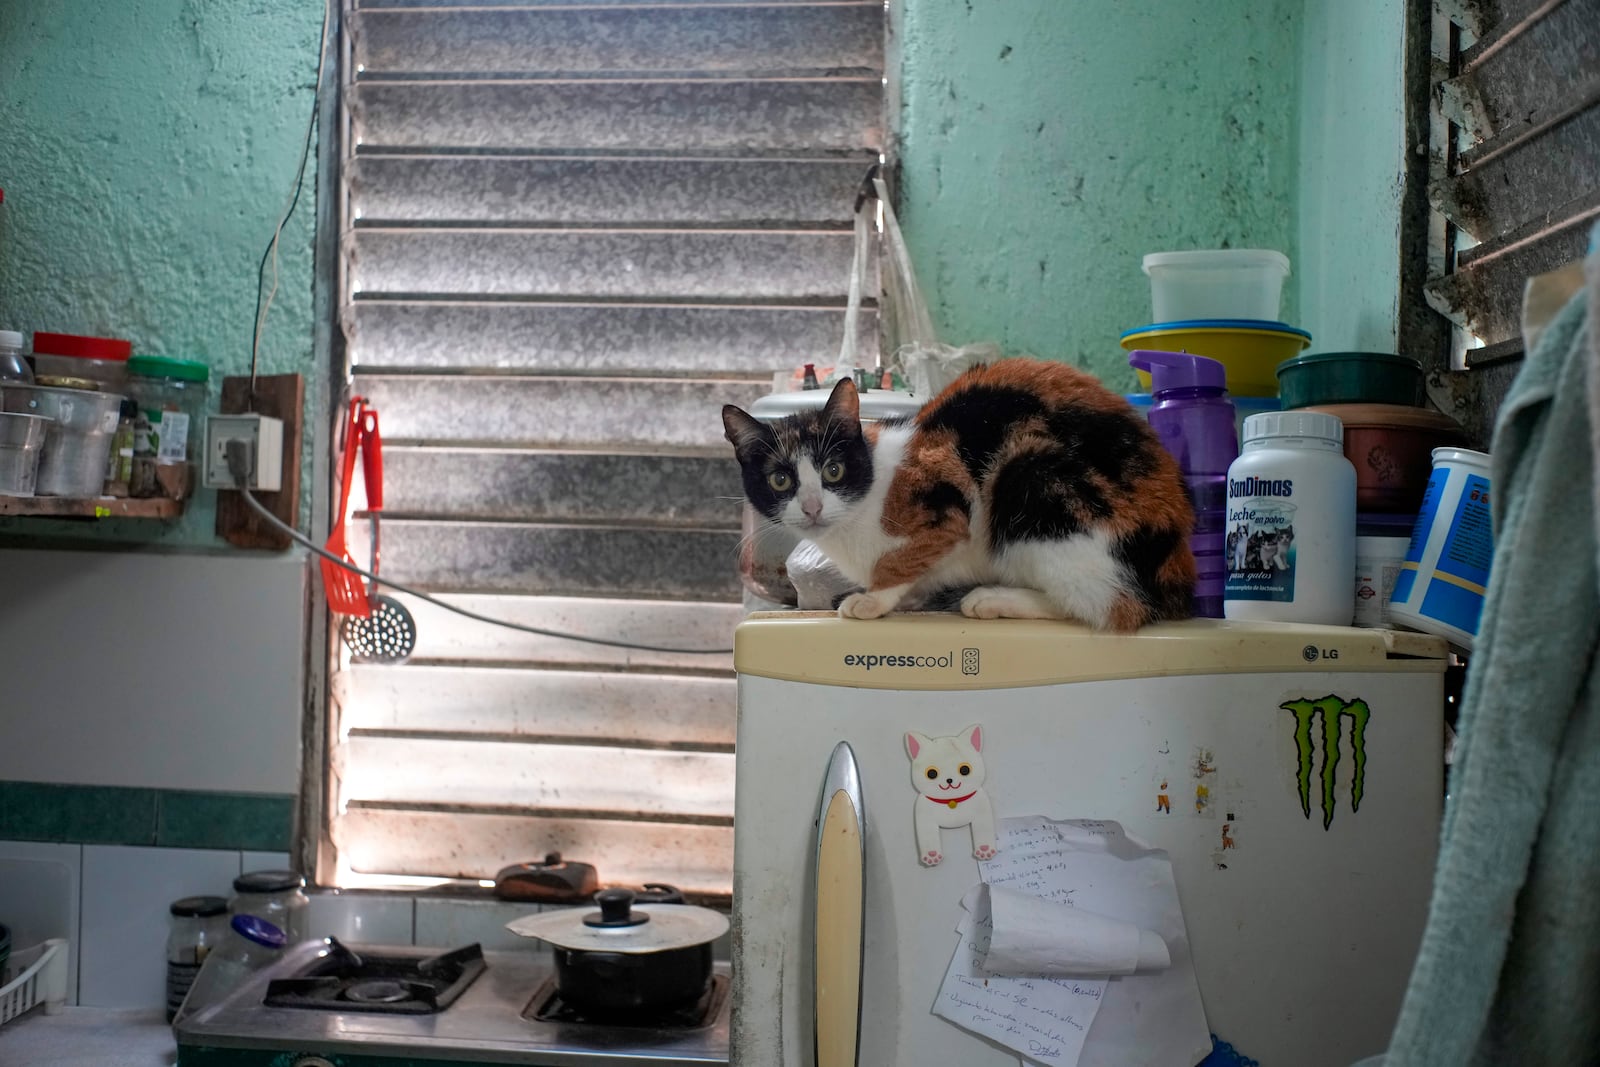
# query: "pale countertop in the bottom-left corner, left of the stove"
(89, 1037)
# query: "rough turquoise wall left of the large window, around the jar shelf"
(146, 153)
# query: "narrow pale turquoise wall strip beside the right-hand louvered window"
(1353, 174)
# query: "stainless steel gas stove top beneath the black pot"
(330, 1005)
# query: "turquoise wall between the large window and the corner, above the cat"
(1049, 145)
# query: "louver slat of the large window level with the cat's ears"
(556, 412)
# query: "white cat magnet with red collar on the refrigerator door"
(950, 780)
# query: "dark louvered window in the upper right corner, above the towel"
(1518, 175)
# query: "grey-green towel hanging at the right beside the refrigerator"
(1510, 967)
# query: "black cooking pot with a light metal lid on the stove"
(628, 959)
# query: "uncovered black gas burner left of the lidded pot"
(398, 985)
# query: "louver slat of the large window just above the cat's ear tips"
(601, 338)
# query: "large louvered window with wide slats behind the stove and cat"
(570, 234)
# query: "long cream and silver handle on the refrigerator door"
(838, 895)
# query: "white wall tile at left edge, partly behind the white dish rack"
(39, 898)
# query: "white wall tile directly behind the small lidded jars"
(126, 917)
